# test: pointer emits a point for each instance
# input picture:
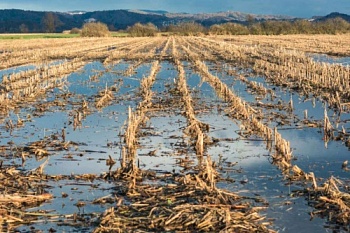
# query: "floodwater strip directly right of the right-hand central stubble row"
(247, 164)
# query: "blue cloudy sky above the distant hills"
(297, 8)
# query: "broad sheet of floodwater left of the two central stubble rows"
(97, 138)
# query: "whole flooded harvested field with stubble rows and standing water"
(174, 134)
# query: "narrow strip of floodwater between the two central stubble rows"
(159, 148)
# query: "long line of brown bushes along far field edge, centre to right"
(270, 27)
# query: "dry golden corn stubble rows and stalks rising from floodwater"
(189, 202)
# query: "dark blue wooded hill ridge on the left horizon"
(12, 21)
